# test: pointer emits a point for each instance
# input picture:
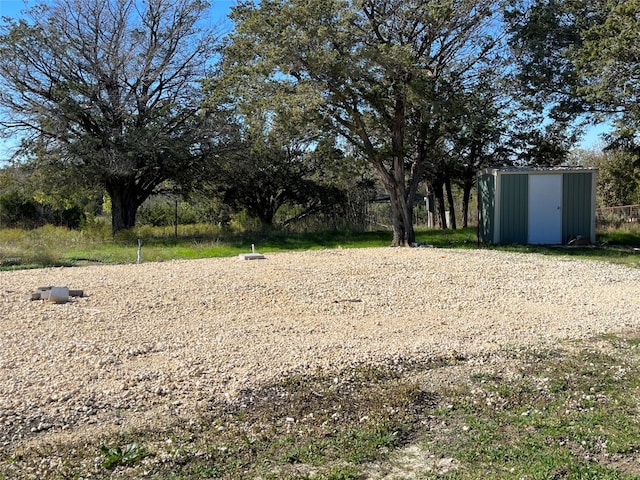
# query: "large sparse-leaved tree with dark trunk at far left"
(108, 88)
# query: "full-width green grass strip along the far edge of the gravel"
(51, 246)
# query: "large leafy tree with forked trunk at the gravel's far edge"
(378, 71)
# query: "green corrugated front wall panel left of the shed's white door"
(514, 192)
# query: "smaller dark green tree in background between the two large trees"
(269, 167)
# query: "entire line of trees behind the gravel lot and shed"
(308, 104)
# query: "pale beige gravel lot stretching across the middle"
(154, 343)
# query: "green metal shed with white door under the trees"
(540, 206)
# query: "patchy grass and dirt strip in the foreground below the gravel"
(567, 413)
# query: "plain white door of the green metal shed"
(545, 209)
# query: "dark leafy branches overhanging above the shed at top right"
(579, 60)
